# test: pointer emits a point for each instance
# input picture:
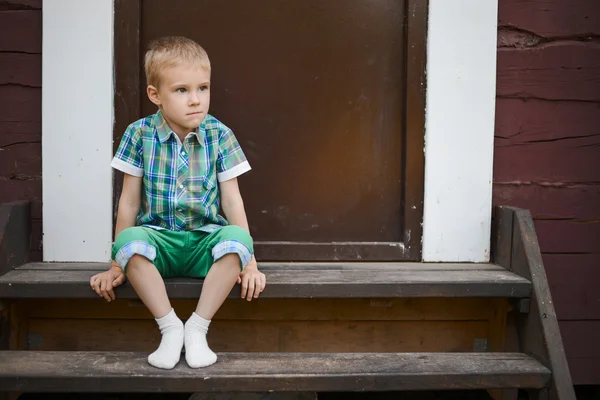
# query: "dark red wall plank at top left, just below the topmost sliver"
(29, 25)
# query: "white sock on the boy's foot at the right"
(197, 352)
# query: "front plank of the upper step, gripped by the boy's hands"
(291, 284)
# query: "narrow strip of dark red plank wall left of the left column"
(21, 108)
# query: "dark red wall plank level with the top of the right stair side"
(577, 201)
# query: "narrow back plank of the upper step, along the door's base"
(297, 266)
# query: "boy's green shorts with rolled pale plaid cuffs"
(182, 253)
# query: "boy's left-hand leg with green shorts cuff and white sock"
(135, 250)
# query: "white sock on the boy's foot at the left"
(169, 351)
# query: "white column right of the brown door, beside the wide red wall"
(459, 133)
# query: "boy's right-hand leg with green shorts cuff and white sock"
(230, 249)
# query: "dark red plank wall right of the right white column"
(547, 154)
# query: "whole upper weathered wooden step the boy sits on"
(291, 280)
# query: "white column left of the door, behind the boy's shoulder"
(77, 128)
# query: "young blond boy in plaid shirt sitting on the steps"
(180, 165)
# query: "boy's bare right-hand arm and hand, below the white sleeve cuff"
(233, 207)
